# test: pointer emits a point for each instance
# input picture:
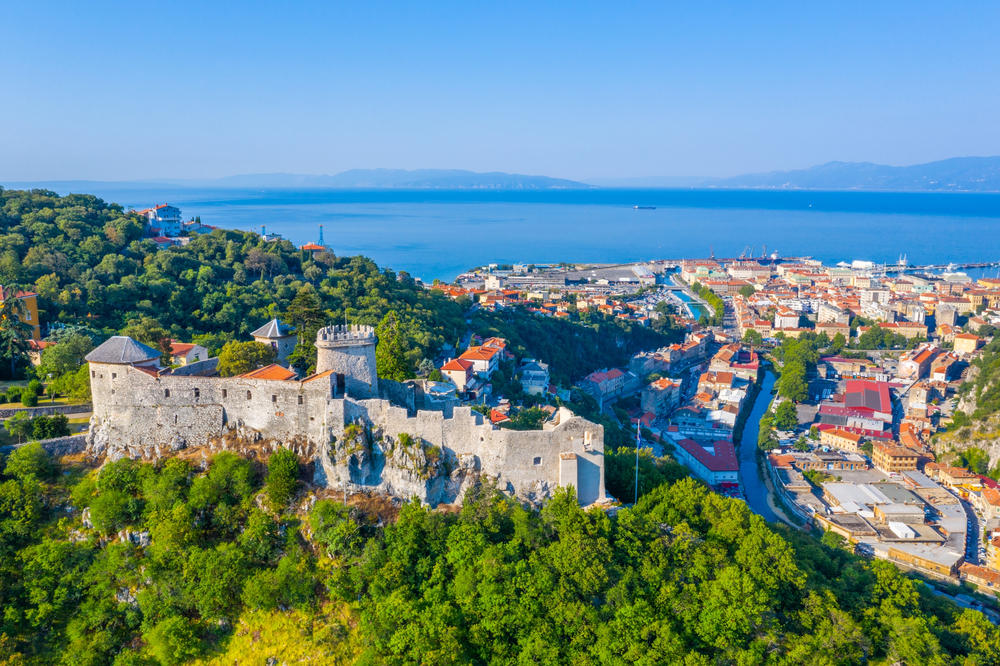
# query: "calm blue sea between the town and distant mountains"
(437, 234)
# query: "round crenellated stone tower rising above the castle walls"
(350, 351)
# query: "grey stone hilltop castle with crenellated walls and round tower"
(360, 431)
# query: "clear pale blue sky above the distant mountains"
(122, 90)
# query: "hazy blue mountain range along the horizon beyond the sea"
(958, 174)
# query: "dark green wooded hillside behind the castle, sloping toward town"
(96, 274)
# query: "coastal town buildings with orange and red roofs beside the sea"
(854, 455)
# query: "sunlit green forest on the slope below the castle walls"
(171, 563)
